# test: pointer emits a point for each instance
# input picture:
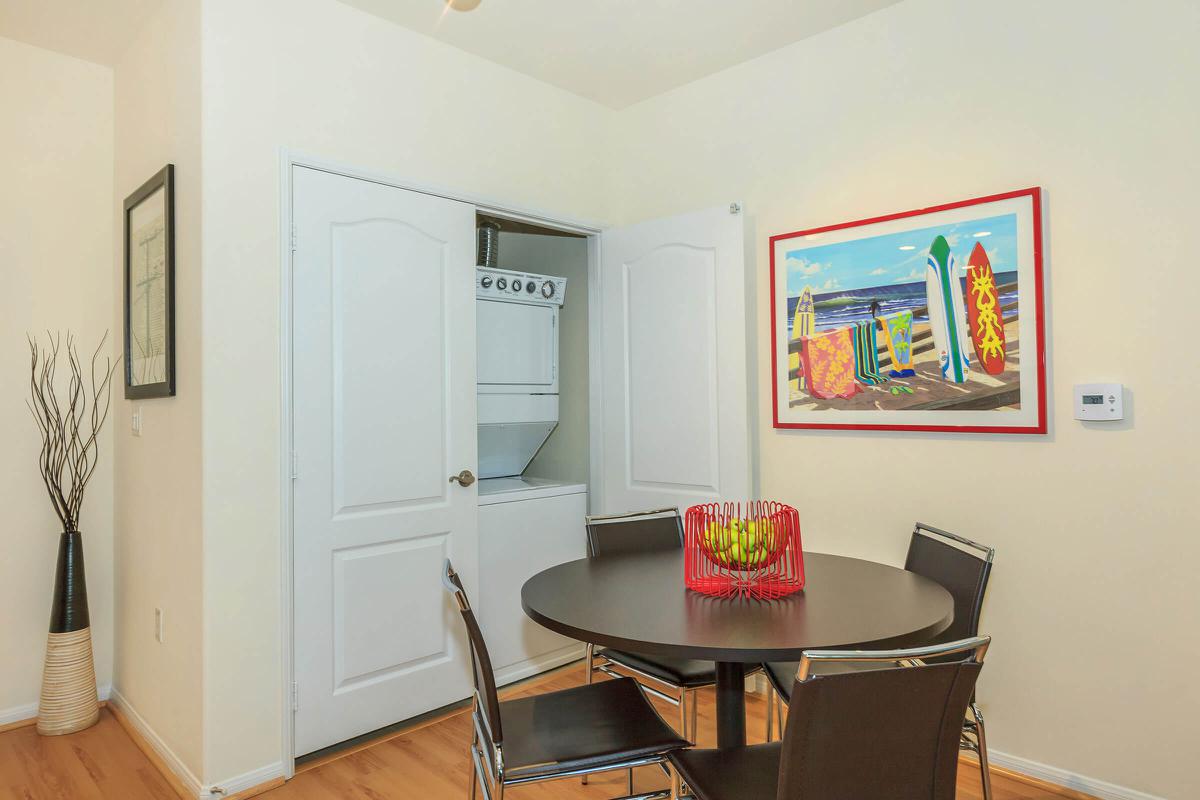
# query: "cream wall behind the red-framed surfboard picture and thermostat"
(1094, 601)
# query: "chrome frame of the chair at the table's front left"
(488, 762)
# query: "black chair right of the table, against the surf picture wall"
(963, 568)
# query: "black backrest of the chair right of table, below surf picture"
(959, 566)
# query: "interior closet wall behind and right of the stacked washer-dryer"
(565, 458)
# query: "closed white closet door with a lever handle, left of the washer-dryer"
(385, 413)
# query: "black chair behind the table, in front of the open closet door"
(644, 532)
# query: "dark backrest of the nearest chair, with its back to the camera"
(886, 733)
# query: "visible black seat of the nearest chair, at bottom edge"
(733, 774)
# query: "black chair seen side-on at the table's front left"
(599, 729)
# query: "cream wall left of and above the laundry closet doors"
(333, 82)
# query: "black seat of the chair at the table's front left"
(581, 727)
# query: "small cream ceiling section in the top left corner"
(94, 31)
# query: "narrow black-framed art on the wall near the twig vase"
(151, 288)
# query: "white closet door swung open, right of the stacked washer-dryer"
(674, 365)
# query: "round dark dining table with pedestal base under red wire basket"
(639, 603)
